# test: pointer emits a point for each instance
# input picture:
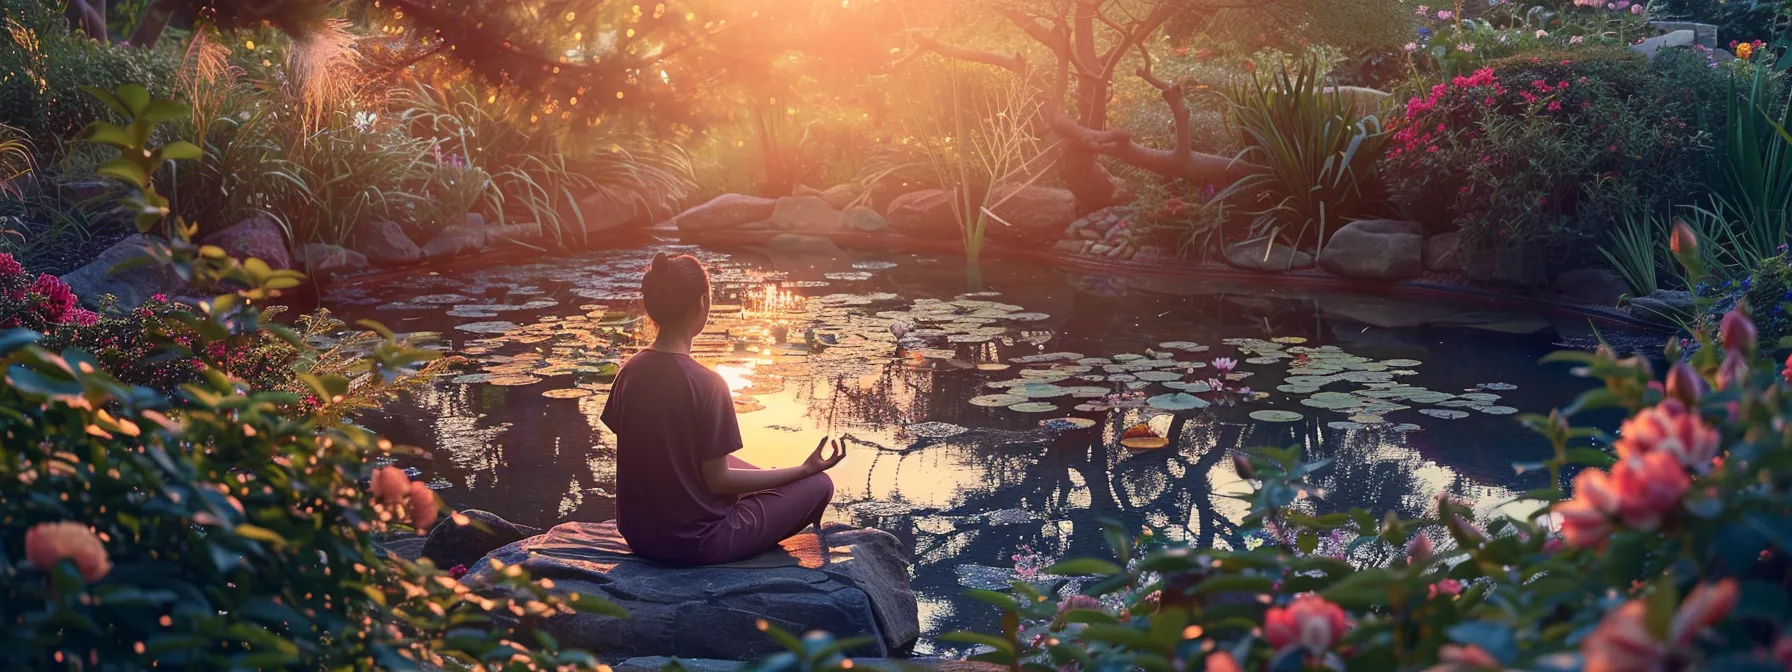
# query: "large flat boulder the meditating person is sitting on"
(849, 582)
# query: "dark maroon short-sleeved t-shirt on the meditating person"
(669, 415)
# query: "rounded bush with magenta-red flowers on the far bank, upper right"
(1551, 150)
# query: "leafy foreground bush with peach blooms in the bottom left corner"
(220, 530)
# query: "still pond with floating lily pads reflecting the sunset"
(994, 435)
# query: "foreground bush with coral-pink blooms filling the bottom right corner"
(1671, 555)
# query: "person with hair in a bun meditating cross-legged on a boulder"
(682, 497)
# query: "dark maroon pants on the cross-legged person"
(761, 521)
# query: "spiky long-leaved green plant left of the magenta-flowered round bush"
(1320, 157)
